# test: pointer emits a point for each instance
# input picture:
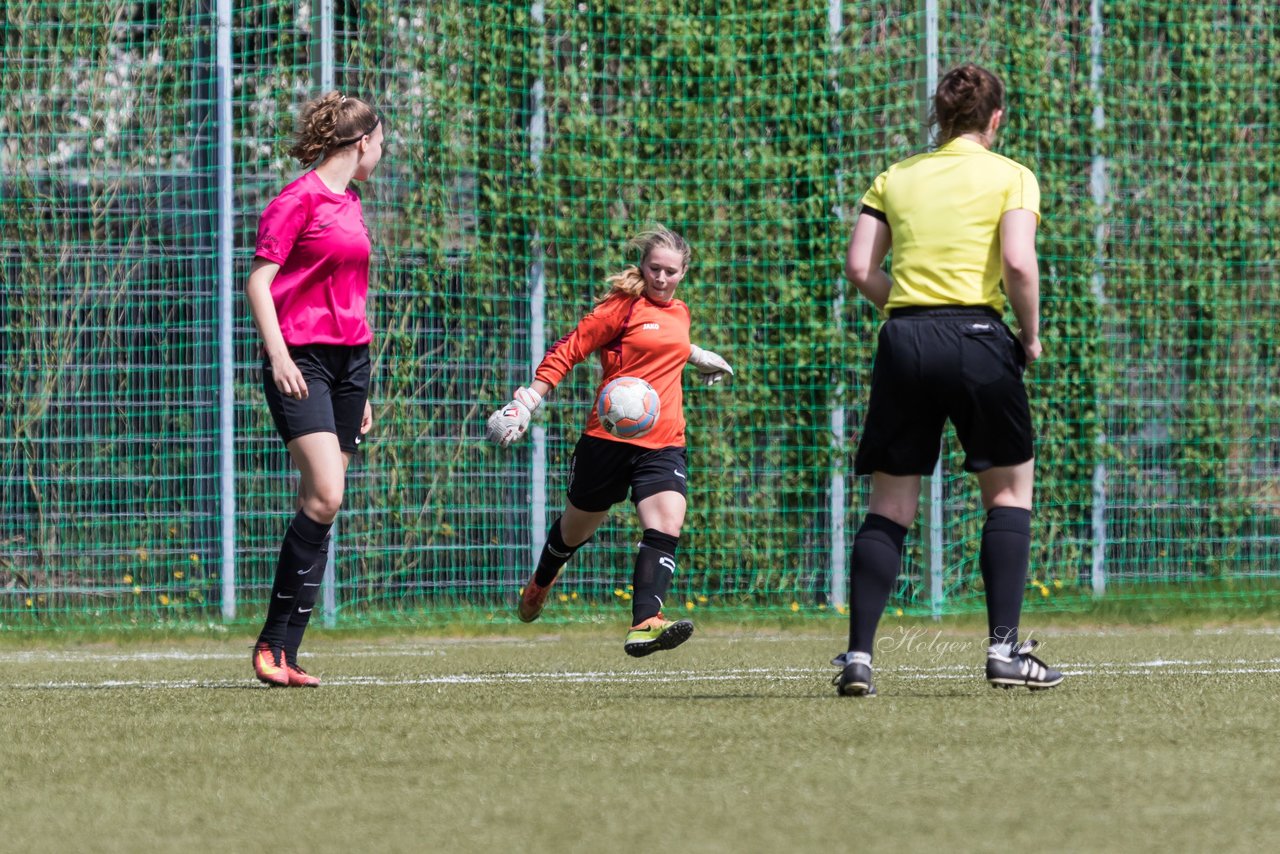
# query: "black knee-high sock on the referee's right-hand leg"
(1007, 546)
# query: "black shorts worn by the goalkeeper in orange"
(602, 472)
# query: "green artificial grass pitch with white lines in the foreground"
(550, 739)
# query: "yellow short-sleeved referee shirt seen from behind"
(944, 211)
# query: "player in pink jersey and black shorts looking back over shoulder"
(308, 291)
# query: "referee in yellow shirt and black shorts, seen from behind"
(961, 221)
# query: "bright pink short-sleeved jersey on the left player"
(321, 243)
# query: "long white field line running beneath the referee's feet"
(715, 675)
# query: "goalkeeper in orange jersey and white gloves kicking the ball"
(638, 330)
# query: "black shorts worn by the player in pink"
(337, 378)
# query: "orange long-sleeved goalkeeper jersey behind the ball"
(634, 337)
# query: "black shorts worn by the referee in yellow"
(936, 364)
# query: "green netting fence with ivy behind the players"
(525, 144)
